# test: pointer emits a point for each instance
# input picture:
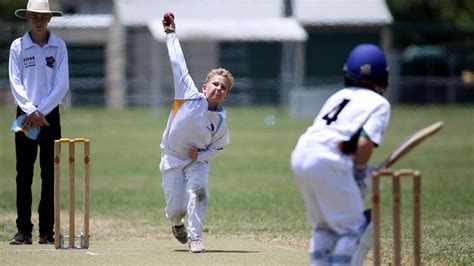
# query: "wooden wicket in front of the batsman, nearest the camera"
(396, 200)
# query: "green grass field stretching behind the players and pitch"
(252, 189)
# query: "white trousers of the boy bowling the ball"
(186, 193)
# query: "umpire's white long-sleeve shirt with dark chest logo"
(39, 76)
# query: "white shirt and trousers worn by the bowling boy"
(185, 182)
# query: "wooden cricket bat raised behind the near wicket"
(410, 143)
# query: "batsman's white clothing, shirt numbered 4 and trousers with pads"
(325, 174)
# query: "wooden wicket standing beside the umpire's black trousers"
(59, 237)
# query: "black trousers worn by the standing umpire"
(26, 153)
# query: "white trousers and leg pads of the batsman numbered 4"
(333, 202)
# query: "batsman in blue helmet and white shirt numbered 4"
(330, 160)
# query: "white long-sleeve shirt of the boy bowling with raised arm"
(190, 122)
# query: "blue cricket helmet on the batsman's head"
(367, 62)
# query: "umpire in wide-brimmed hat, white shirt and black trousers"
(39, 79)
